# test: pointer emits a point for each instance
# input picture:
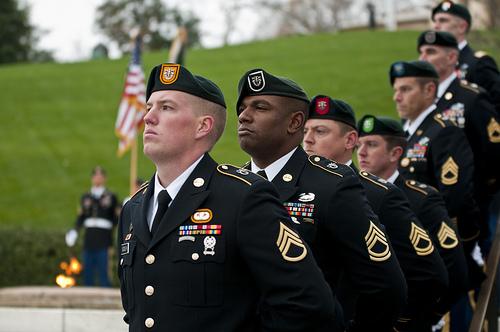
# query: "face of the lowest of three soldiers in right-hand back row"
(409, 97)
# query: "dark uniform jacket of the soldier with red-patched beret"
(423, 267)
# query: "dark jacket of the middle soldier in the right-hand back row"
(470, 108)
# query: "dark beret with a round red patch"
(324, 107)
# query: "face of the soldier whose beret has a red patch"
(325, 138)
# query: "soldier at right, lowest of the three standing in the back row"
(437, 153)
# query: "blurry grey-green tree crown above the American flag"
(157, 23)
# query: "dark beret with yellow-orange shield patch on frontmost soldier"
(170, 76)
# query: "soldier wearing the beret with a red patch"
(330, 131)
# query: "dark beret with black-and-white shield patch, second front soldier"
(259, 82)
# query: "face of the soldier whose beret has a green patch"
(373, 156)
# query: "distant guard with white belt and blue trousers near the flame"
(98, 214)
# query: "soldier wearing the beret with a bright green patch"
(381, 145)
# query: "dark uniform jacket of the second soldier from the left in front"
(327, 202)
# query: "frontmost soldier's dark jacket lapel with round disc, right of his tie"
(187, 200)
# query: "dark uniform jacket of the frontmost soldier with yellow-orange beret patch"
(224, 258)
